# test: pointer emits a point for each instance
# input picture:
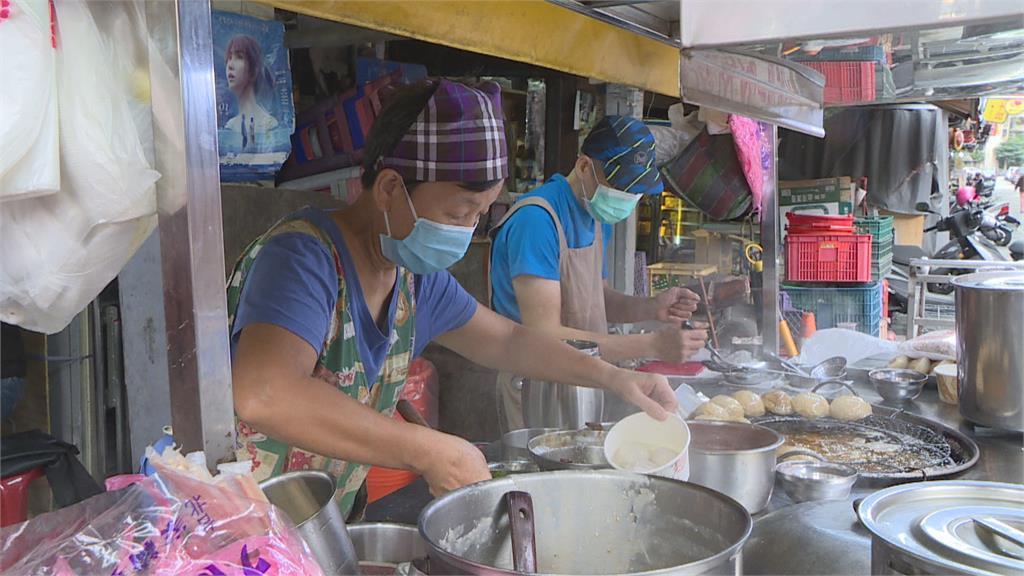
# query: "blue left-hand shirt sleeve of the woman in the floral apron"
(293, 284)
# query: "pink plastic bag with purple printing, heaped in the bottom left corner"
(167, 524)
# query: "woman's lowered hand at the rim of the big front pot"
(453, 463)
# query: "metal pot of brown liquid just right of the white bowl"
(737, 460)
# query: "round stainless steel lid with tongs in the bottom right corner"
(968, 527)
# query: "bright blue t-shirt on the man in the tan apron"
(528, 243)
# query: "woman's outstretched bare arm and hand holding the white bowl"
(497, 343)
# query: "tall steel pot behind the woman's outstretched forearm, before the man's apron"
(551, 405)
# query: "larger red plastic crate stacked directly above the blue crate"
(829, 258)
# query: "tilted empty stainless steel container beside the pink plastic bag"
(310, 500)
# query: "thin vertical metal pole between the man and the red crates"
(770, 241)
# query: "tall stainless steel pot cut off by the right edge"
(991, 338)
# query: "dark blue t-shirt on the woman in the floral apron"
(293, 284)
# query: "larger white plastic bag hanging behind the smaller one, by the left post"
(61, 251)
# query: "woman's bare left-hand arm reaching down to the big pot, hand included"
(275, 393)
